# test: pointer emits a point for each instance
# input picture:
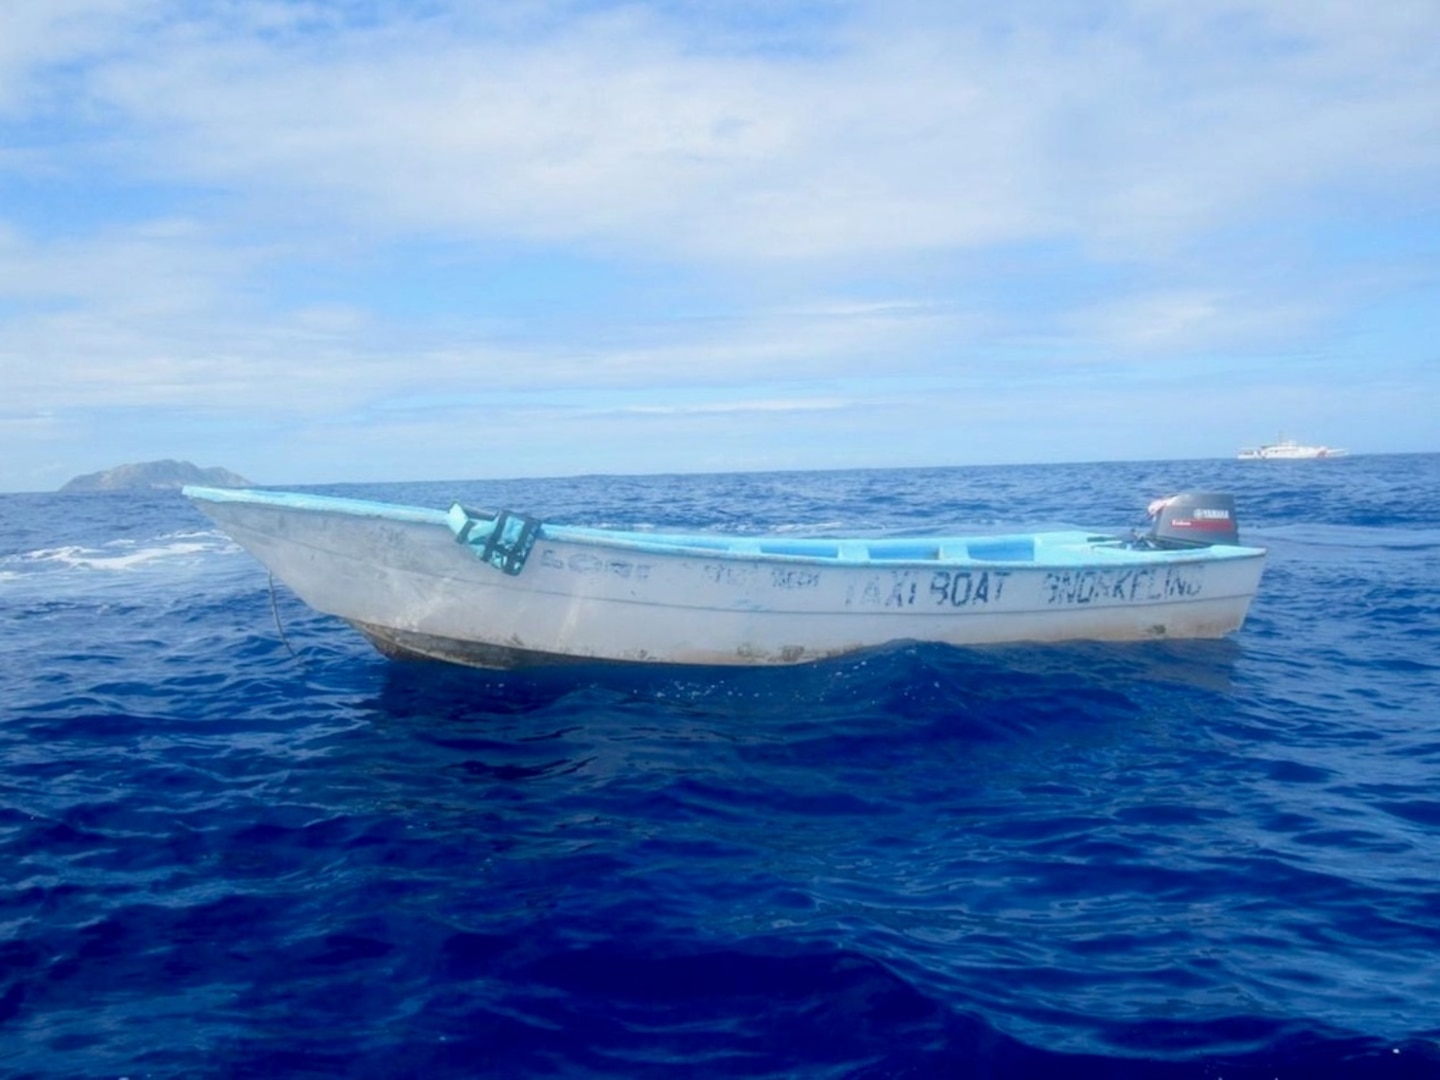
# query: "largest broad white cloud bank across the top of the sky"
(906, 133)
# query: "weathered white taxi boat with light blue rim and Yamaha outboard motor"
(503, 590)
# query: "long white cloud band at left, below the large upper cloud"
(172, 336)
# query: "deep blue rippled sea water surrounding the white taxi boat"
(237, 849)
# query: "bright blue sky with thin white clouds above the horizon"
(322, 241)
